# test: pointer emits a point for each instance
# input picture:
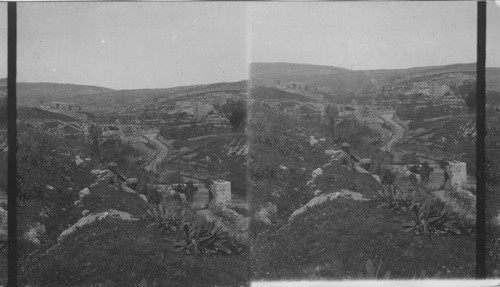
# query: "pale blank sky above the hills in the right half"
(366, 35)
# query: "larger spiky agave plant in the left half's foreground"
(202, 237)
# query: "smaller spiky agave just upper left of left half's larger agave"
(166, 215)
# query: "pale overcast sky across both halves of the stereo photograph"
(153, 45)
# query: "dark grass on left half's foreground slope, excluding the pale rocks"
(109, 252)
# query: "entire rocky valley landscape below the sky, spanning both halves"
(260, 161)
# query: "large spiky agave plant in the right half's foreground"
(432, 217)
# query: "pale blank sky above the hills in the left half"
(132, 45)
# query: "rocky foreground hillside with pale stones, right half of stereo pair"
(316, 219)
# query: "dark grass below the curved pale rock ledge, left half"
(118, 253)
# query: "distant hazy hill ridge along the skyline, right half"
(339, 81)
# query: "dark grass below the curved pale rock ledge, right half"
(347, 233)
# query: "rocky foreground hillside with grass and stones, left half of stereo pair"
(76, 228)
